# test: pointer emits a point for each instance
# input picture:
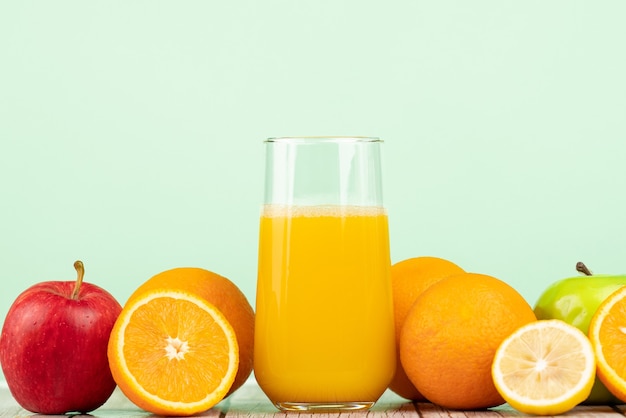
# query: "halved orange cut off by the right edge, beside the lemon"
(607, 332)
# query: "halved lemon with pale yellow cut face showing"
(546, 367)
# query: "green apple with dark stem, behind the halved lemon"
(575, 300)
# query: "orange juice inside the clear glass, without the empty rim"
(324, 320)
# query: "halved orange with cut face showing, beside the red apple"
(173, 353)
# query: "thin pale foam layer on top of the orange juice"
(273, 211)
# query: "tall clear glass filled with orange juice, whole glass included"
(324, 332)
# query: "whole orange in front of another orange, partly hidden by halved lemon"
(451, 334)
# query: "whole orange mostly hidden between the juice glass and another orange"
(409, 278)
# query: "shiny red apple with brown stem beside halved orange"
(53, 346)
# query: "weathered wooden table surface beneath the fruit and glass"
(250, 402)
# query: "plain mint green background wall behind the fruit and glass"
(131, 131)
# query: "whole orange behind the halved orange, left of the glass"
(222, 293)
